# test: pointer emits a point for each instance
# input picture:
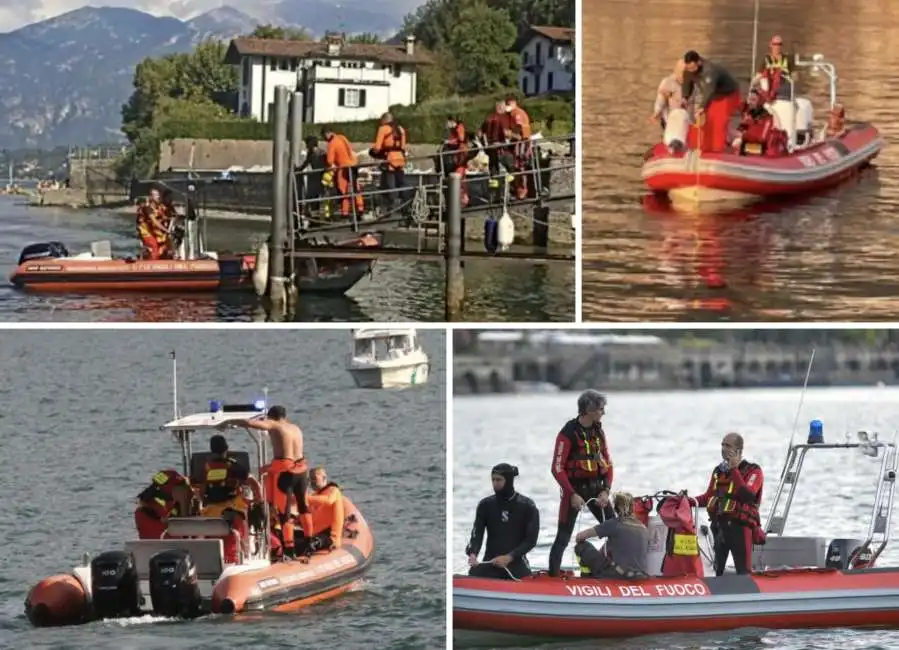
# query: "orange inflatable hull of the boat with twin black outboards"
(283, 586)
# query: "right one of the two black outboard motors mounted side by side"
(174, 588)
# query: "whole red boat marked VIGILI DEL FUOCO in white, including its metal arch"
(798, 582)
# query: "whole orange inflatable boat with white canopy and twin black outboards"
(184, 574)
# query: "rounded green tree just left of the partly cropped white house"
(480, 42)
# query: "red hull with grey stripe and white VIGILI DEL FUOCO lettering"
(580, 607)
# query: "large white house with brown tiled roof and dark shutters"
(340, 81)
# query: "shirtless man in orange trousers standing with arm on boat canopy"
(286, 473)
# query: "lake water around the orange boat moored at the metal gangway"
(397, 290)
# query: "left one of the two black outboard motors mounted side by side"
(115, 586)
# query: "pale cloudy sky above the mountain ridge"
(17, 13)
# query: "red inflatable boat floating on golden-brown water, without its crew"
(747, 172)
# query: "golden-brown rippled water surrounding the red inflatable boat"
(830, 257)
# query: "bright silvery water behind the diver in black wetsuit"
(670, 440)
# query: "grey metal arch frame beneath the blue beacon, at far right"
(882, 509)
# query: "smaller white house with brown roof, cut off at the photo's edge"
(546, 60)
